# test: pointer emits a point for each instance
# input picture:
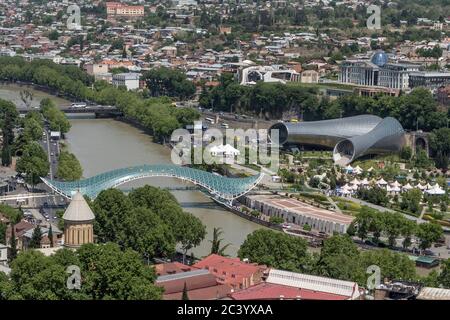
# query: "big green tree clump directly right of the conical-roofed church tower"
(148, 220)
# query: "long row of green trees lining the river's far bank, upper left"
(156, 114)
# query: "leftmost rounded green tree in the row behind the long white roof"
(275, 249)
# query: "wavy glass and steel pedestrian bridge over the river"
(218, 186)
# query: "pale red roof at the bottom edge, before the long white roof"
(270, 291)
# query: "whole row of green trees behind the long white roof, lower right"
(339, 257)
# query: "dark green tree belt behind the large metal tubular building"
(415, 110)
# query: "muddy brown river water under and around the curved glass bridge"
(105, 144)
